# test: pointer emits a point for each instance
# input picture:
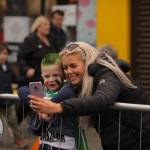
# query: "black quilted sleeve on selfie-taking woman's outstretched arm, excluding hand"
(103, 98)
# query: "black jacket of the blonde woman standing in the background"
(30, 55)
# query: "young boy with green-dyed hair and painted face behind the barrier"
(56, 132)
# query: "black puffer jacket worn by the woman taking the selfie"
(107, 90)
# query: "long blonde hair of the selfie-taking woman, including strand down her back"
(90, 55)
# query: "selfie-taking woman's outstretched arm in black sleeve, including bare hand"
(103, 98)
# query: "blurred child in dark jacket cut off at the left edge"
(7, 77)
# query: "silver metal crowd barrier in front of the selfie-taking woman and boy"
(117, 105)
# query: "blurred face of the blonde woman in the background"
(44, 28)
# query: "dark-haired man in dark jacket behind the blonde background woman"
(57, 35)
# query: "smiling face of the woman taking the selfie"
(73, 67)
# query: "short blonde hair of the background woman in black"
(37, 22)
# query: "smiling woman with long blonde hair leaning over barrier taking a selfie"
(100, 83)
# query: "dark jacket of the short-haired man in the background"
(58, 39)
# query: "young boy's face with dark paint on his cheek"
(53, 76)
